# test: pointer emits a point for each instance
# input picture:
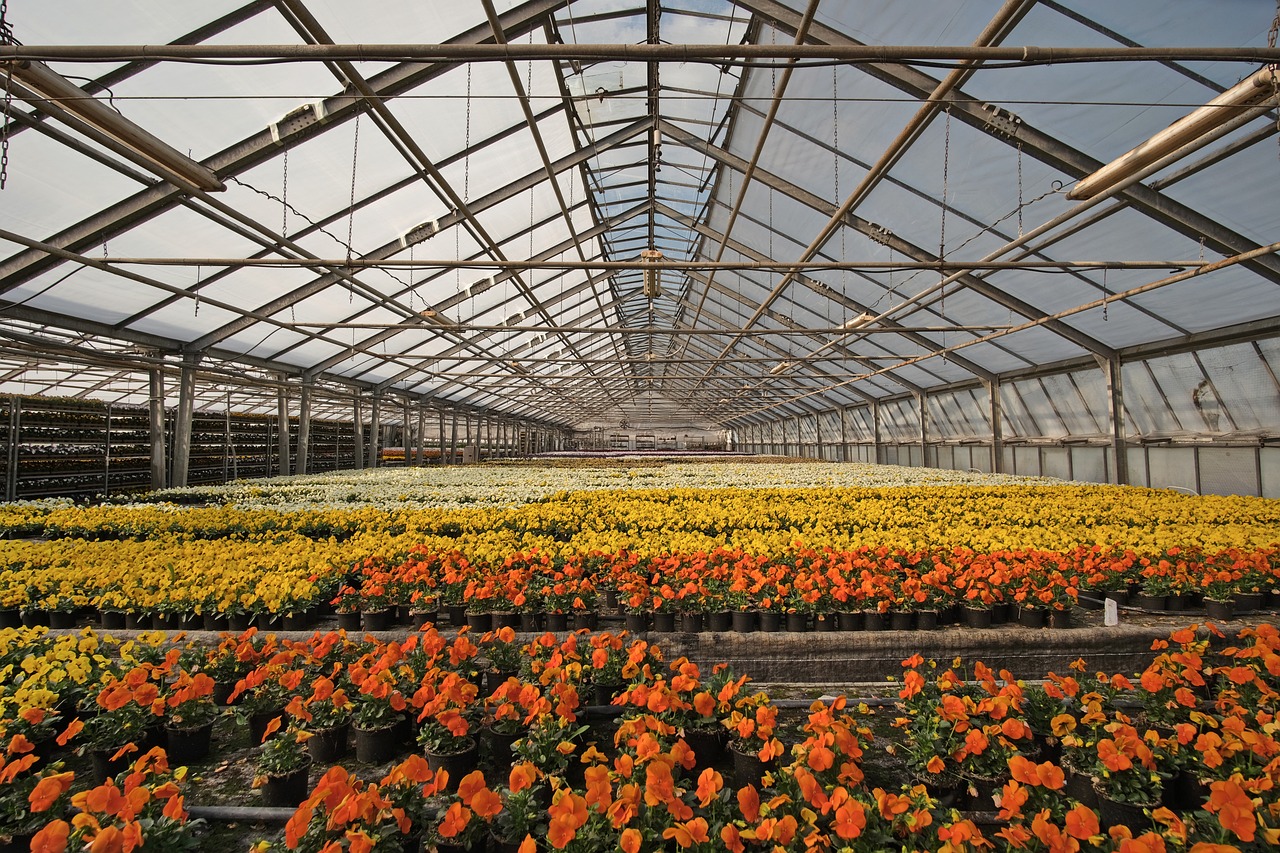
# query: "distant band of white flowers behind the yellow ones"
(508, 485)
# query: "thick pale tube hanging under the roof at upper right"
(1255, 93)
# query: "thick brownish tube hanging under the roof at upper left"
(61, 99)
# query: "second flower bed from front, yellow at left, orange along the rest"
(241, 580)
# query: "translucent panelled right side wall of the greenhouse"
(1196, 421)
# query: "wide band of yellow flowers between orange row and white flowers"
(223, 559)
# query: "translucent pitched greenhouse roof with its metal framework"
(582, 231)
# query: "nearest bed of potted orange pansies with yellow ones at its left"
(1180, 758)
